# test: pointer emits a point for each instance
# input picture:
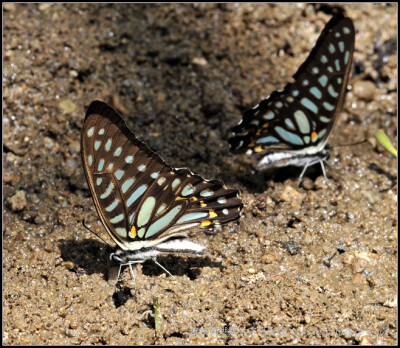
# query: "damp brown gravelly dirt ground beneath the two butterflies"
(315, 264)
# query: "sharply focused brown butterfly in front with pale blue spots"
(146, 206)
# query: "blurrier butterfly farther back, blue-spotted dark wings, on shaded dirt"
(292, 126)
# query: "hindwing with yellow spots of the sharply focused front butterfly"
(184, 201)
